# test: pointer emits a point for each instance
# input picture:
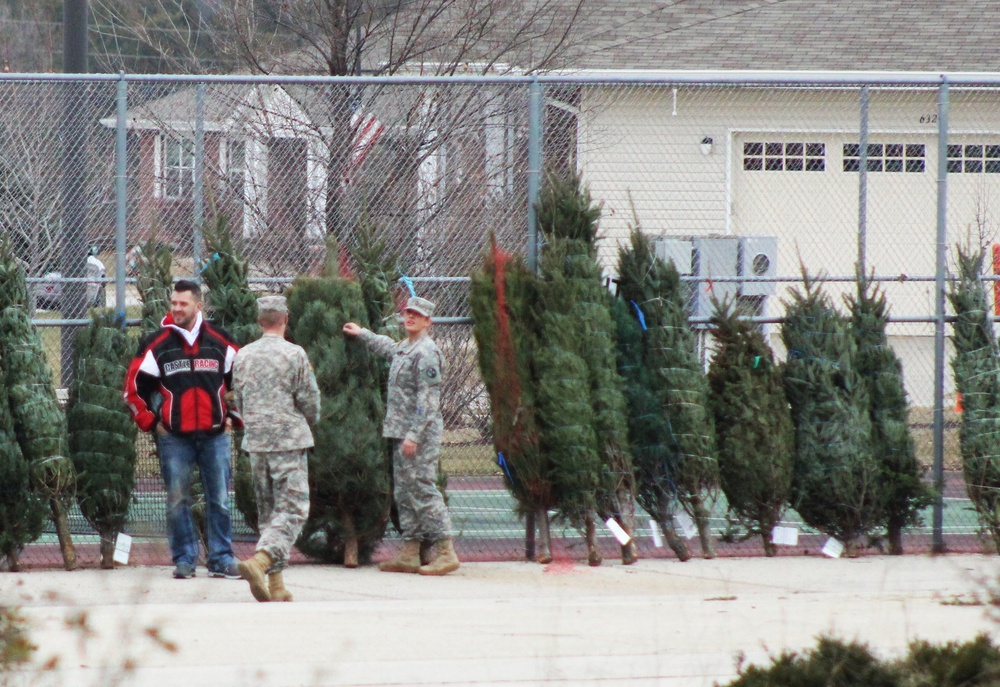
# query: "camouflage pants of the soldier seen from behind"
(281, 483)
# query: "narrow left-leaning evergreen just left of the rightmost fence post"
(903, 492)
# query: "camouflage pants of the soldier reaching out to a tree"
(422, 513)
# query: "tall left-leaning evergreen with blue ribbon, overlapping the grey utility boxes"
(653, 288)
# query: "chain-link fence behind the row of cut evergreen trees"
(745, 181)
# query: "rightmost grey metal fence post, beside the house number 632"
(939, 303)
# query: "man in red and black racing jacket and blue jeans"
(176, 387)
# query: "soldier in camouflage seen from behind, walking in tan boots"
(275, 389)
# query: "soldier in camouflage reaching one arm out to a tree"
(413, 421)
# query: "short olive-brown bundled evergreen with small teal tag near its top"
(753, 423)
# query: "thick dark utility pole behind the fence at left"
(74, 130)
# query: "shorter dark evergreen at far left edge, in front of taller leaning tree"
(22, 512)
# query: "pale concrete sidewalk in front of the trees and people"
(654, 623)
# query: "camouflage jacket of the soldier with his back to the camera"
(275, 389)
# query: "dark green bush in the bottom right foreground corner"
(834, 663)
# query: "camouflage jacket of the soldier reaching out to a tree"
(413, 406)
